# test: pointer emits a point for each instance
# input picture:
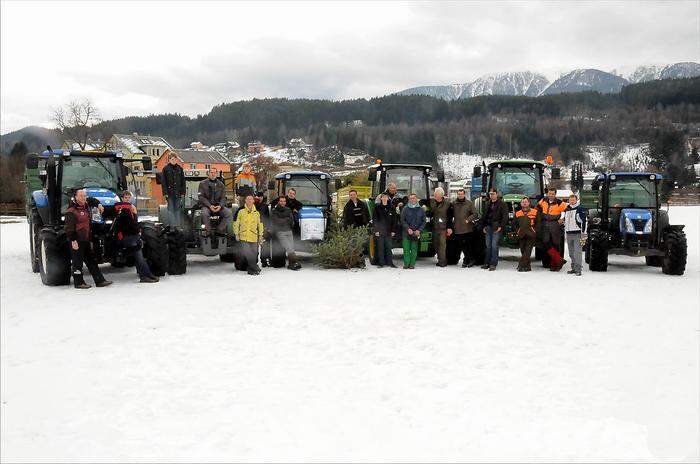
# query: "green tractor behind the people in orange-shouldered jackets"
(514, 180)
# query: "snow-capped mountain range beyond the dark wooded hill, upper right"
(527, 83)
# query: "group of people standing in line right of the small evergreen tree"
(454, 225)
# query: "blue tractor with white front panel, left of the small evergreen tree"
(313, 190)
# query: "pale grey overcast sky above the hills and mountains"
(137, 58)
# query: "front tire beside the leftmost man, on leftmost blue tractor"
(54, 257)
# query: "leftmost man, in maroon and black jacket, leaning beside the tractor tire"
(77, 227)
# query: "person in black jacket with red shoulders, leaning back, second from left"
(126, 226)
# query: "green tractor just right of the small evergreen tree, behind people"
(409, 178)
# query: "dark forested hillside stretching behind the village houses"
(415, 128)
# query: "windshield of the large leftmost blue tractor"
(81, 172)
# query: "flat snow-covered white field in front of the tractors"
(372, 365)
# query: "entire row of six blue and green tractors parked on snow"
(625, 212)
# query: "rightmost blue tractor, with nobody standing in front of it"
(628, 220)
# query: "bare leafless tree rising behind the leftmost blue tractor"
(77, 121)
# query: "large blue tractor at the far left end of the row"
(51, 179)
